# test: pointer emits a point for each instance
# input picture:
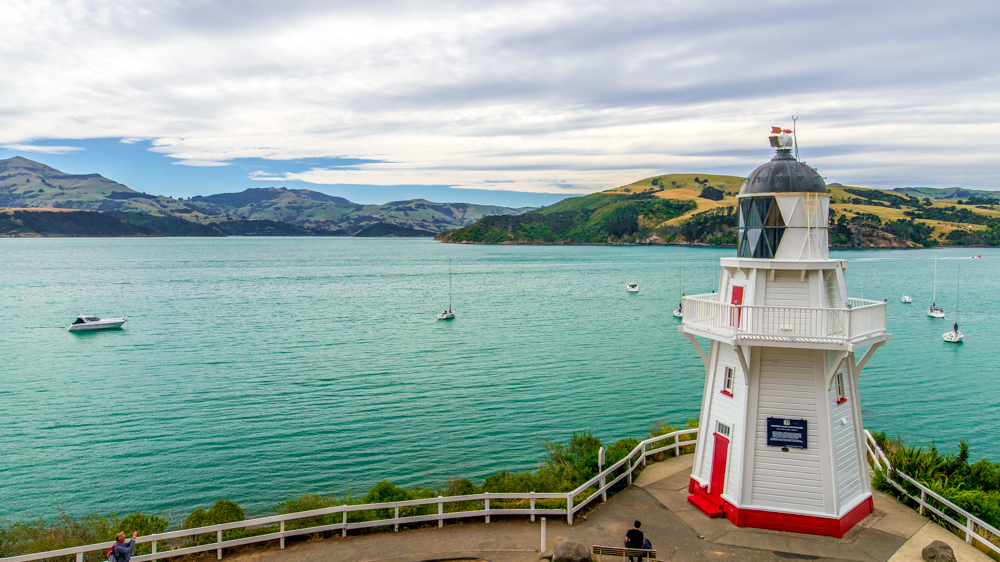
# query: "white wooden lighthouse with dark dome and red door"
(781, 445)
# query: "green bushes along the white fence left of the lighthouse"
(565, 467)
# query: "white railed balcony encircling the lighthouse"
(862, 322)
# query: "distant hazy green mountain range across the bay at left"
(28, 184)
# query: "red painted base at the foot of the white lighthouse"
(775, 521)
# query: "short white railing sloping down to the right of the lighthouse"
(974, 528)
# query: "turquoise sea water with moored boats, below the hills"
(255, 369)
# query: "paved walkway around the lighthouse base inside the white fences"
(677, 530)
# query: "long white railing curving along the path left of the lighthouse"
(636, 458)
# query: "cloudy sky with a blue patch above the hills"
(382, 97)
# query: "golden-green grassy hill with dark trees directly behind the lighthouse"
(700, 209)
